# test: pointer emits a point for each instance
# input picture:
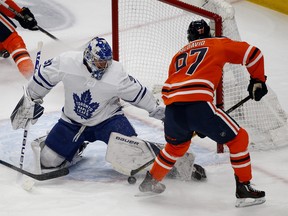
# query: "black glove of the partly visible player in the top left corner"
(28, 21)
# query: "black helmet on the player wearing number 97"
(197, 30)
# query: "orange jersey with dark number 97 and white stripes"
(196, 70)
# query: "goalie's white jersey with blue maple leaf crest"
(89, 101)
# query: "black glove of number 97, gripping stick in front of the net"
(257, 89)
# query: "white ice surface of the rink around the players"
(93, 187)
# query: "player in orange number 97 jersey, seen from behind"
(188, 93)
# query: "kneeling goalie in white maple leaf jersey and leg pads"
(94, 84)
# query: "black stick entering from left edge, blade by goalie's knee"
(39, 177)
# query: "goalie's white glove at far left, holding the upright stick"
(26, 110)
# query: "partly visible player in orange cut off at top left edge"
(11, 43)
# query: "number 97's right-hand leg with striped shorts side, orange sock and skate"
(223, 129)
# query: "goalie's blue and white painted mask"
(97, 57)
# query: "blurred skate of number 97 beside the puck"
(151, 185)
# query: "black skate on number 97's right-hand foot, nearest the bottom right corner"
(247, 195)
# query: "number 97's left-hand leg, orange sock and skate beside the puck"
(178, 137)
